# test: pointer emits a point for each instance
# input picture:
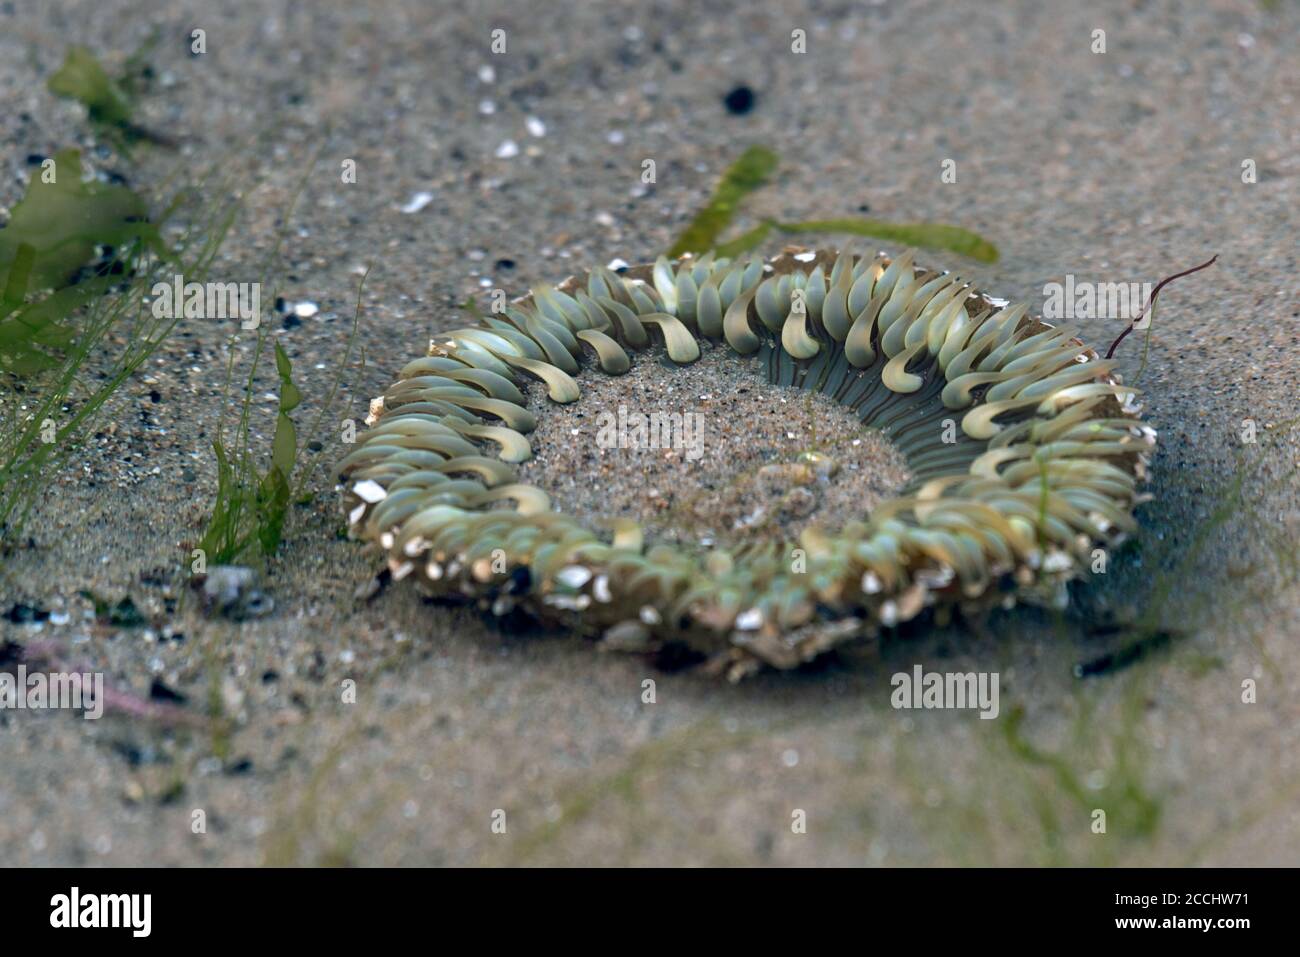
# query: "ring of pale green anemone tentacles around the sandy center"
(1046, 467)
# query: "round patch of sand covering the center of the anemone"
(710, 454)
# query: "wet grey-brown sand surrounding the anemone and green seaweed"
(1117, 167)
